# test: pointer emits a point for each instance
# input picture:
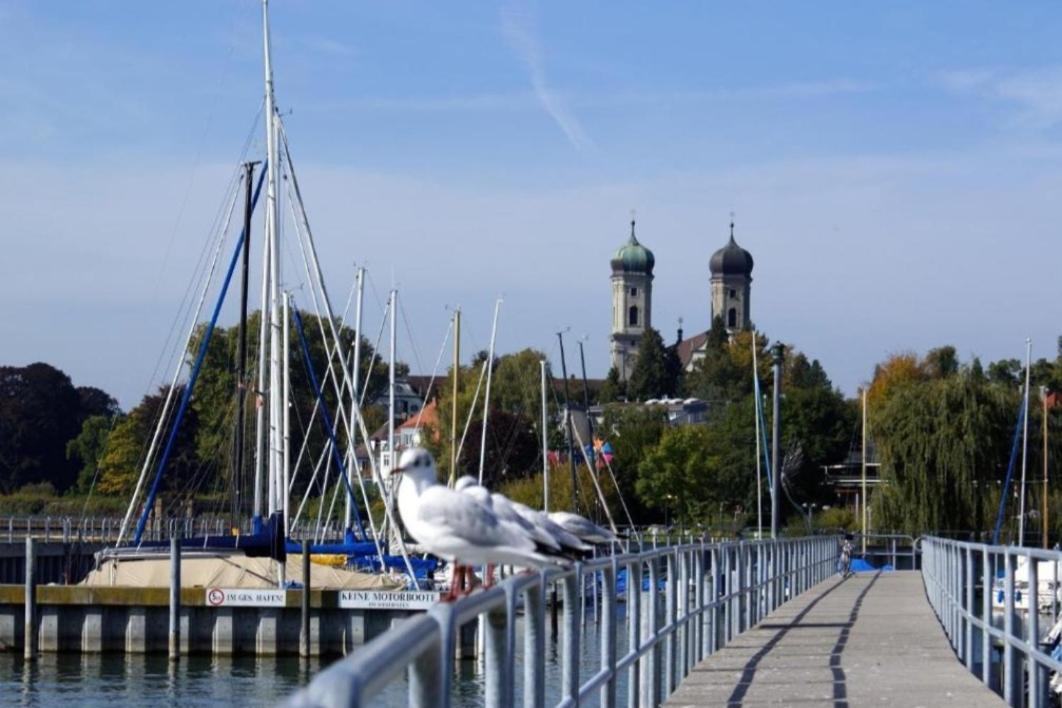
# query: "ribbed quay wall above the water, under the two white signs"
(74, 619)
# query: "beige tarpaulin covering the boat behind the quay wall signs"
(234, 572)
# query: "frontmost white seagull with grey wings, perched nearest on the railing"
(457, 527)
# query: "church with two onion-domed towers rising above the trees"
(730, 299)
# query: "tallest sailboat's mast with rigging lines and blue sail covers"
(268, 532)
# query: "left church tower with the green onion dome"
(632, 301)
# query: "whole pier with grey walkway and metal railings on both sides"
(735, 624)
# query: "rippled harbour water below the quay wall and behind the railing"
(95, 681)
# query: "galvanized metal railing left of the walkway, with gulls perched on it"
(711, 593)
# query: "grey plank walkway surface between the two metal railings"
(869, 641)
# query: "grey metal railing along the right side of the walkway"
(972, 588)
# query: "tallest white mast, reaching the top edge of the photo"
(272, 234)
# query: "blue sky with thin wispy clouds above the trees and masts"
(895, 168)
